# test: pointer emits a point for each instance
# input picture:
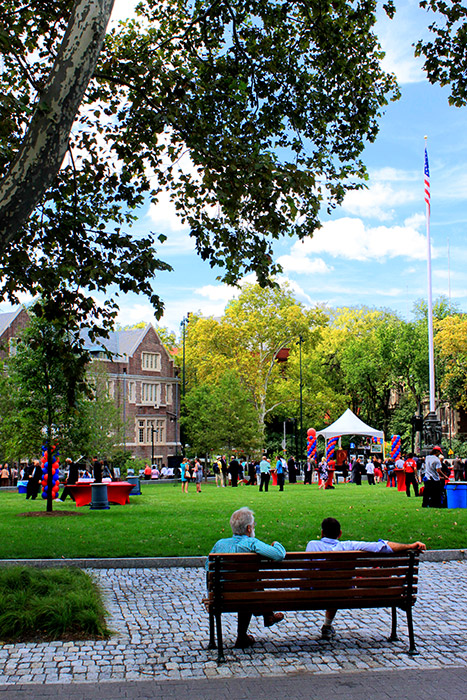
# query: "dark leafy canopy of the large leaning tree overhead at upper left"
(251, 113)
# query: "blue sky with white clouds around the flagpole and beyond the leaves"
(372, 250)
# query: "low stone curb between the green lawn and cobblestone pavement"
(433, 555)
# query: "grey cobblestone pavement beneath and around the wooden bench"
(161, 634)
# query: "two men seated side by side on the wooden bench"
(242, 523)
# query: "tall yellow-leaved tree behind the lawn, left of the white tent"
(249, 338)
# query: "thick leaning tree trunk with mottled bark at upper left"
(46, 140)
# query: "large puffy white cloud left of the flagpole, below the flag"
(350, 239)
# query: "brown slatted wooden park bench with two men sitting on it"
(310, 581)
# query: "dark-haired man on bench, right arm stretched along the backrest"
(329, 542)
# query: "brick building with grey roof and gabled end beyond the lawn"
(143, 382)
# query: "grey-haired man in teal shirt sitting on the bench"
(242, 523)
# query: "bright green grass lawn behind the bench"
(165, 522)
